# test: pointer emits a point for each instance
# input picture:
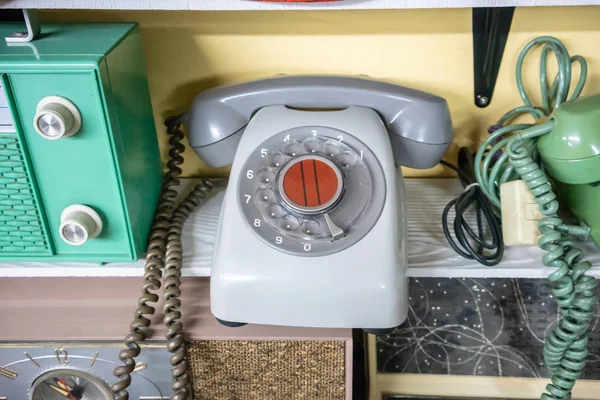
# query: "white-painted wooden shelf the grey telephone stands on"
(429, 254)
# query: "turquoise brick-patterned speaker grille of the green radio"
(21, 229)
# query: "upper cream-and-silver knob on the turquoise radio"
(56, 117)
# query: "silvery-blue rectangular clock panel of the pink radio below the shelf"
(79, 372)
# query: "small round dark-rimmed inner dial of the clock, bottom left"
(69, 384)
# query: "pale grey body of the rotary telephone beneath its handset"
(268, 271)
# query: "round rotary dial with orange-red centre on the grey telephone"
(311, 191)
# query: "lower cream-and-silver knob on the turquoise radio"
(78, 224)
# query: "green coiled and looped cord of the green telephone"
(510, 153)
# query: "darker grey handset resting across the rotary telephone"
(422, 118)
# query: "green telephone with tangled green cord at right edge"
(565, 139)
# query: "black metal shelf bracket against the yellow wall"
(491, 26)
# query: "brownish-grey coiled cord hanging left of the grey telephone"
(164, 251)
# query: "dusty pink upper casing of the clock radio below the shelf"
(72, 309)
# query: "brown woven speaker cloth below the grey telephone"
(264, 370)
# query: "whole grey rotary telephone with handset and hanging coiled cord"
(312, 225)
